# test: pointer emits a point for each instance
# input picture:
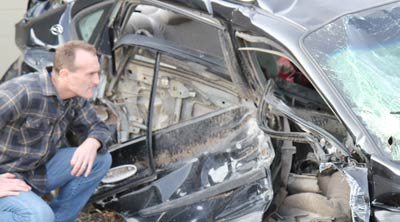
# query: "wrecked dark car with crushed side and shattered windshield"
(238, 110)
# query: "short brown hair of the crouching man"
(65, 54)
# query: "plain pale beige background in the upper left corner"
(10, 13)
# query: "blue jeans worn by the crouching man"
(73, 195)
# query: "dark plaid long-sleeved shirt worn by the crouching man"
(33, 124)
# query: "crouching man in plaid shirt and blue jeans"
(36, 111)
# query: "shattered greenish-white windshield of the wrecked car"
(360, 53)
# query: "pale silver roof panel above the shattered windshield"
(310, 14)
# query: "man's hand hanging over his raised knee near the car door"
(84, 157)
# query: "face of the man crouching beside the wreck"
(84, 80)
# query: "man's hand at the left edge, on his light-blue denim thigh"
(10, 185)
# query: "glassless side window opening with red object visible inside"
(292, 85)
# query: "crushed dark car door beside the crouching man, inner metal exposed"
(210, 158)
